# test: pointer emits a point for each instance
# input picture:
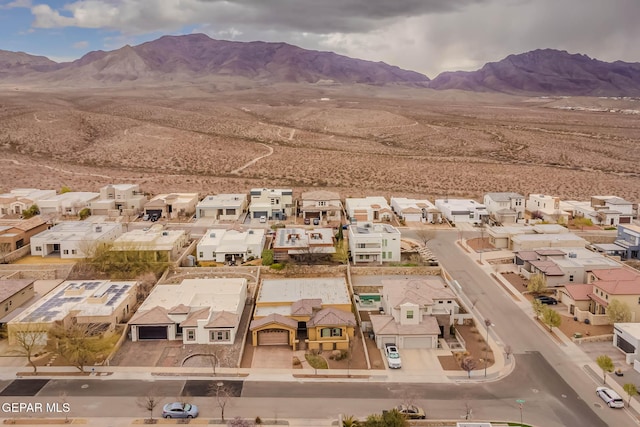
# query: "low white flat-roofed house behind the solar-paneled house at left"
(74, 239)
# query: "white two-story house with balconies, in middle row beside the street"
(369, 242)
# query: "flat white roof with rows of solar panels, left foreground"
(78, 296)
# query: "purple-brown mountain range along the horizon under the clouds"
(198, 58)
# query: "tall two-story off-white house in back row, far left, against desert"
(119, 199)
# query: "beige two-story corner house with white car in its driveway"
(416, 313)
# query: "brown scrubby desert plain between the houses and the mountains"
(357, 140)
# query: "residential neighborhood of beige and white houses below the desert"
(273, 279)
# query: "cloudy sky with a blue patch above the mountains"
(428, 36)
